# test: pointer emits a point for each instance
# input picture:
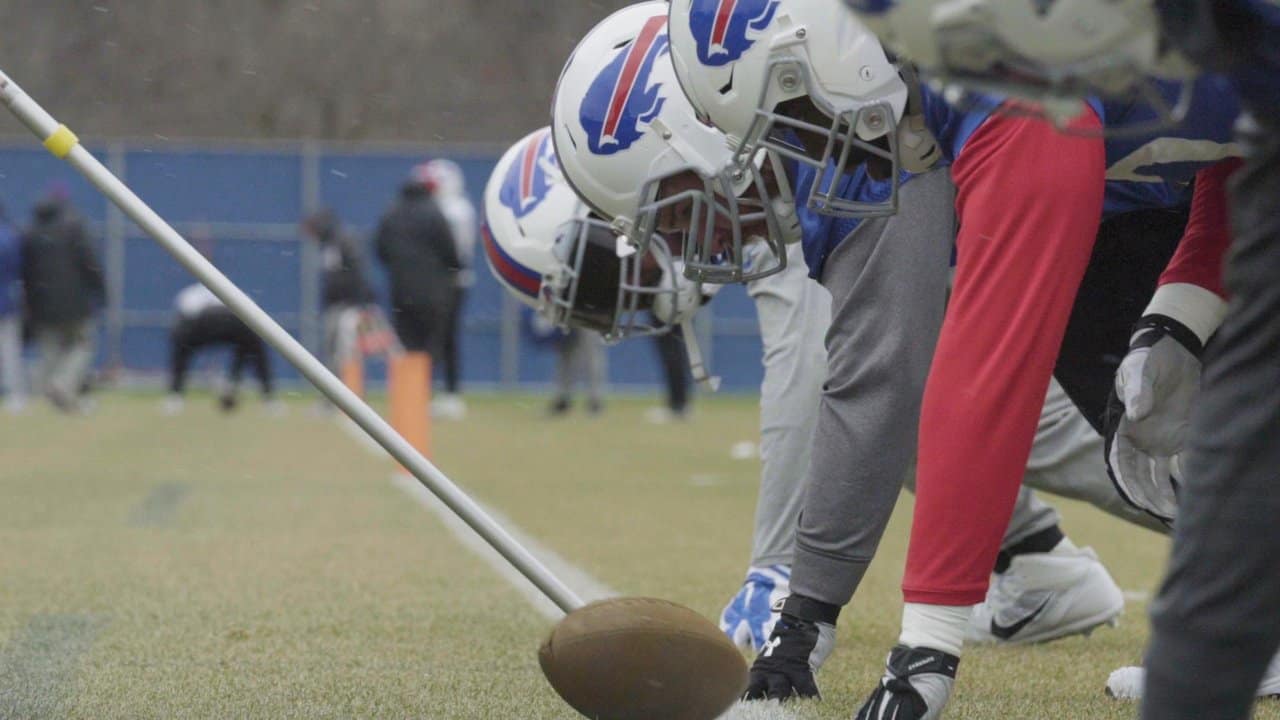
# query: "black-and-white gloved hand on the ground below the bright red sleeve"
(917, 686)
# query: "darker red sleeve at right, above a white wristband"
(1200, 256)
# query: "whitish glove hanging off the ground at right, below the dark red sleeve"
(1156, 385)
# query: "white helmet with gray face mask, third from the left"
(804, 80)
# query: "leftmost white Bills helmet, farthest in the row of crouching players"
(547, 250)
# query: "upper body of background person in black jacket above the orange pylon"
(415, 245)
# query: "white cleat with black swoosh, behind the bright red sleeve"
(1045, 596)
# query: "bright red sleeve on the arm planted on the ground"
(1030, 202)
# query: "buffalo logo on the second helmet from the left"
(621, 103)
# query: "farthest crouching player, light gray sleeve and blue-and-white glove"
(531, 213)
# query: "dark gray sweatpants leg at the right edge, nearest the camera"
(1215, 619)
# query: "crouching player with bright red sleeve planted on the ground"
(1030, 202)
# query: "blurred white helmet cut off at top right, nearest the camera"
(1052, 52)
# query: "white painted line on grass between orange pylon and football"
(583, 584)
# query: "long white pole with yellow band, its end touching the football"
(65, 145)
